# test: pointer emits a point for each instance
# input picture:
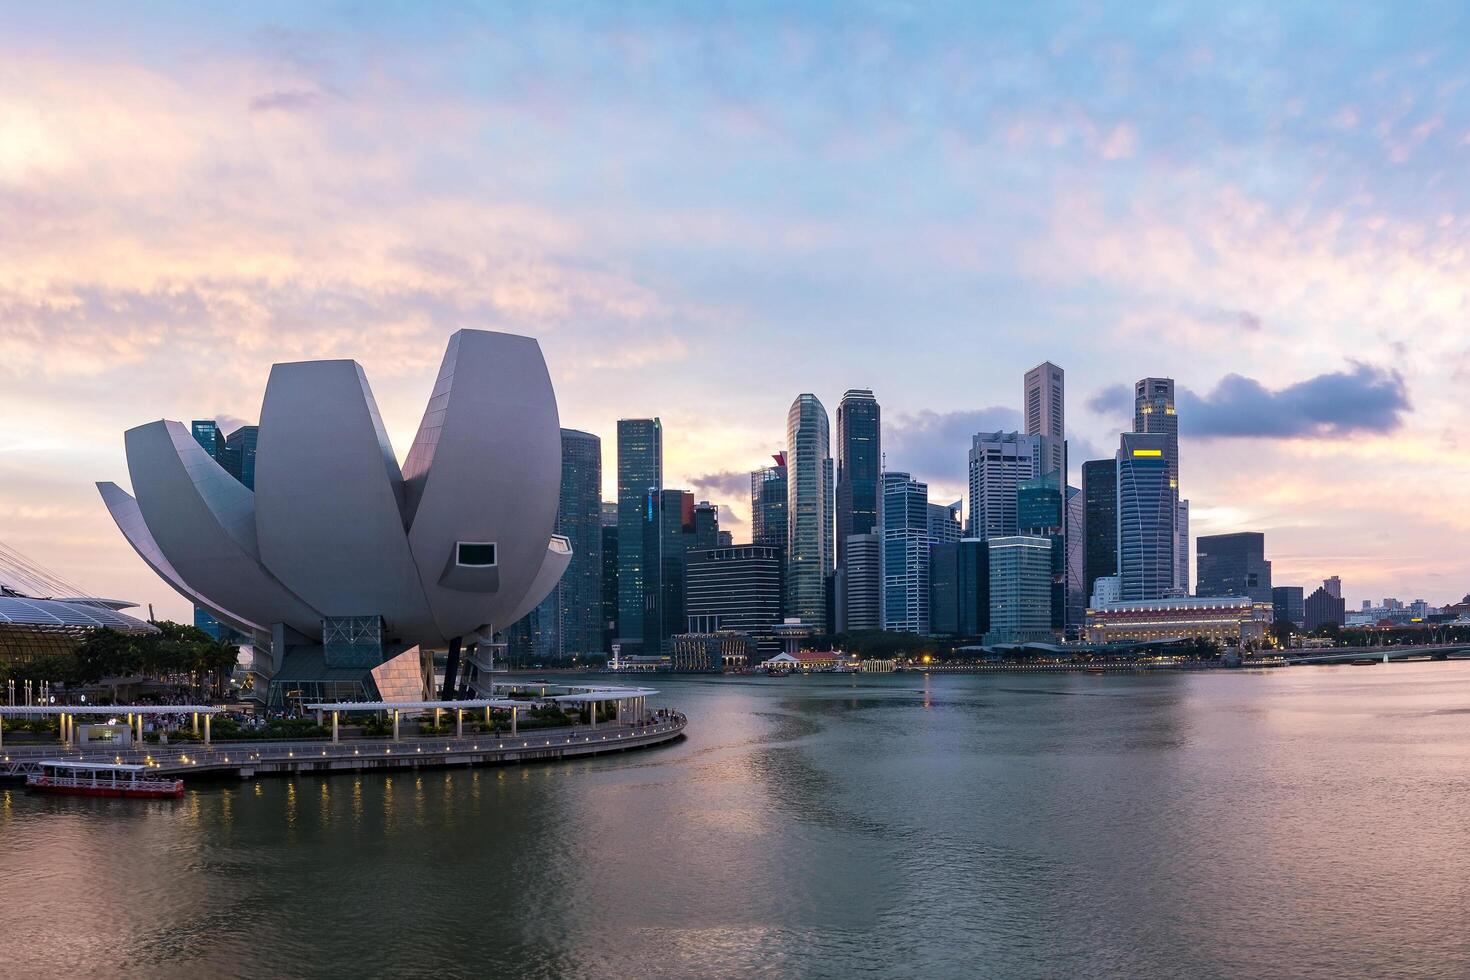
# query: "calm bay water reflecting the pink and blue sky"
(1296, 824)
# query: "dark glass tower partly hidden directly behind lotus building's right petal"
(580, 518)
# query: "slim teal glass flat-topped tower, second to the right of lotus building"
(640, 481)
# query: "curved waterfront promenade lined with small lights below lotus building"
(258, 757)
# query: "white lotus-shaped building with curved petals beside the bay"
(449, 549)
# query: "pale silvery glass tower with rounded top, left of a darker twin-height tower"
(809, 512)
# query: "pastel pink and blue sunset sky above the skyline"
(702, 211)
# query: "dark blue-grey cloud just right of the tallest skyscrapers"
(1365, 399)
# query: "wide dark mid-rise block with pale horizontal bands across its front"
(734, 588)
